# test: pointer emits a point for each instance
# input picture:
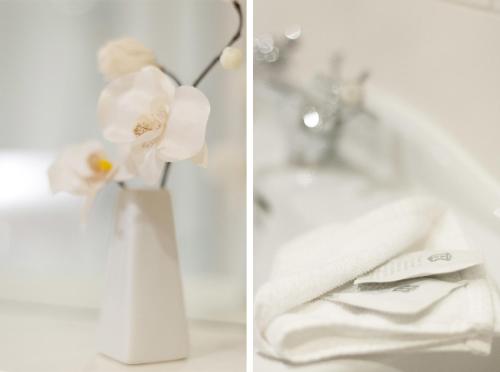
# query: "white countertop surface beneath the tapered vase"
(39, 338)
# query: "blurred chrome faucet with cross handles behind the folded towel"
(323, 108)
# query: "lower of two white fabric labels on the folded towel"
(405, 297)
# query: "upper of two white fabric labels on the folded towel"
(421, 264)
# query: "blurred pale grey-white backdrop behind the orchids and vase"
(49, 85)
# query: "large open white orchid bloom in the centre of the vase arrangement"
(154, 120)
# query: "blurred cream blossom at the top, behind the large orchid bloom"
(123, 56)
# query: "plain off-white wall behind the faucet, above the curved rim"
(439, 56)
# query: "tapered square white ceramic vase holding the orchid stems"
(143, 319)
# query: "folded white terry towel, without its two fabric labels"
(297, 325)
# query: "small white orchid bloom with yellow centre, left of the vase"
(82, 170)
